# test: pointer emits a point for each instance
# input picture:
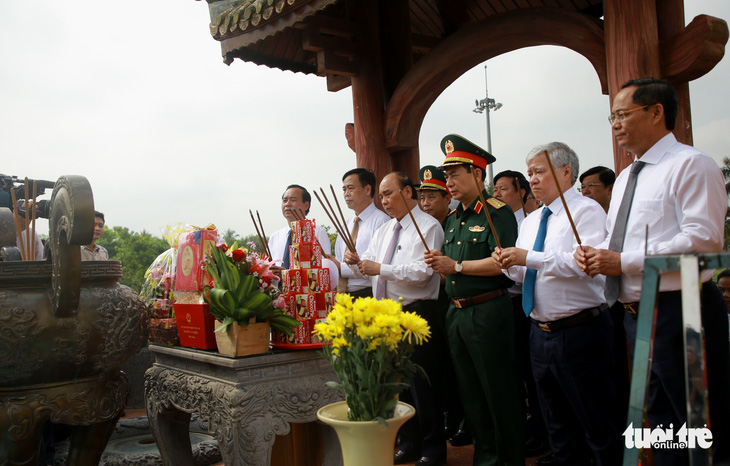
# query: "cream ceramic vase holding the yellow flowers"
(365, 443)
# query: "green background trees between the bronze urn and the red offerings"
(136, 251)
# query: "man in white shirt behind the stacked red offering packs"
(295, 199)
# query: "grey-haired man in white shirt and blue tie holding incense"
(571, 335)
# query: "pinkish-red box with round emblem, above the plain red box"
(192, 247)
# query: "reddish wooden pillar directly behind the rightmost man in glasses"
(632, 50)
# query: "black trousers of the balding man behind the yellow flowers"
(425, 431)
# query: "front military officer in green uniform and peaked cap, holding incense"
(479, 322)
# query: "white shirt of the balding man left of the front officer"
(408, 275)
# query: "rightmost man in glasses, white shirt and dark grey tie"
(678, 206)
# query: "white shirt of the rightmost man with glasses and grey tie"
(680, 196)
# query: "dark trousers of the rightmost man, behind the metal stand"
(666, 401)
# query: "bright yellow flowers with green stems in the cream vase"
(370, 342)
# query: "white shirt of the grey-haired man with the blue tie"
(561, 288)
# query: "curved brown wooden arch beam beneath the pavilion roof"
(476, 43)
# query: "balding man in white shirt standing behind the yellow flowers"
(406, 275)
